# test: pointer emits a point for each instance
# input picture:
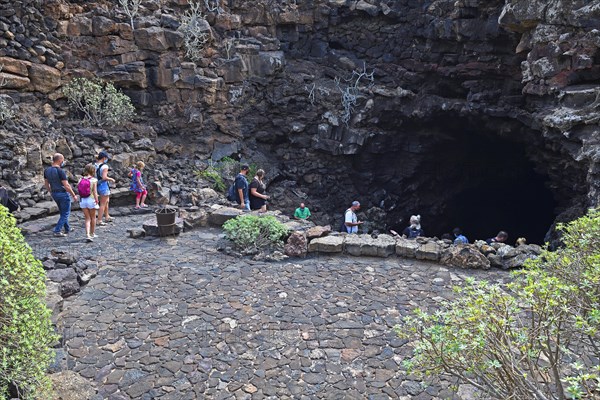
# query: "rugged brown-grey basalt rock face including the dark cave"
(456, 86)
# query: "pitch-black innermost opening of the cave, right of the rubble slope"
(497, 188)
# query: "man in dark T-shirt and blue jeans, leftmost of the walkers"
(56, 183)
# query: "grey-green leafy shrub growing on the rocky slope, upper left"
(99, 102)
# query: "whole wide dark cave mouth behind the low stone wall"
(480, 175)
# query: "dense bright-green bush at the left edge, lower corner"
(26, 333)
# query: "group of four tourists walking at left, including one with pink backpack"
(94, 193)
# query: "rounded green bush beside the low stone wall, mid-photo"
(251, 233)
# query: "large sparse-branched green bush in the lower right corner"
(534, 338)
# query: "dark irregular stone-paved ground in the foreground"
(175, 319)
